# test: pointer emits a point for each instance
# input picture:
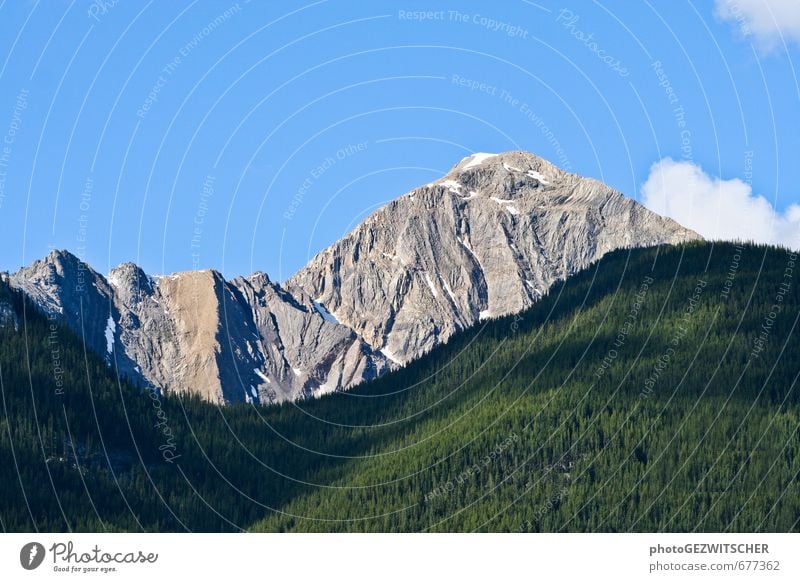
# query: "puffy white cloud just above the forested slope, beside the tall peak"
(716, 208)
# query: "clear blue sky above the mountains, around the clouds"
(249, 136)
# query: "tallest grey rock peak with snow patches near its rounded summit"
(485, 240)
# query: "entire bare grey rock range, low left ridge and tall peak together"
(486, 240)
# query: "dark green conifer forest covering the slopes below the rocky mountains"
(656, 390)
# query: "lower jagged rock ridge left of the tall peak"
(247, 339)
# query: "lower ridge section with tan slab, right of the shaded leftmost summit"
(244, 340)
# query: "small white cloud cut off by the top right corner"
(770, 22)
